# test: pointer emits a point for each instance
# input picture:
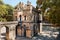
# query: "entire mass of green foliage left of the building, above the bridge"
(6, 12)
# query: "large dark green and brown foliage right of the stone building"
(54, 12)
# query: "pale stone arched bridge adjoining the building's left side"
(10, 30)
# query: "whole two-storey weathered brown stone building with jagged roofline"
(25, 15)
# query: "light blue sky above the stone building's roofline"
(15, 2)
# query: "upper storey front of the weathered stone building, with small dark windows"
(25, 10)
